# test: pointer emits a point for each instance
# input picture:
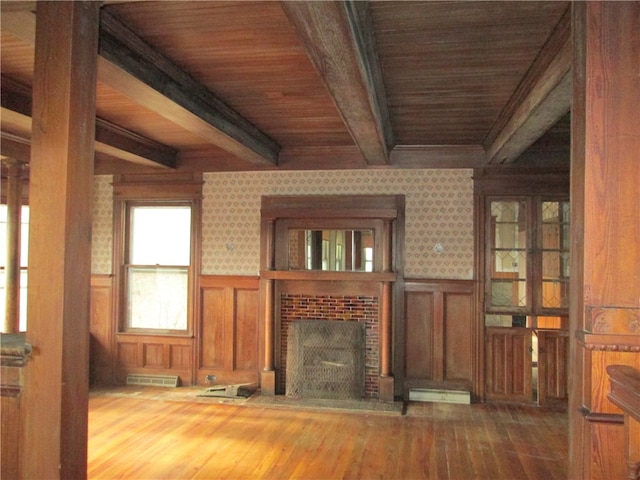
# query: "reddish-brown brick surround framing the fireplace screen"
(323, 308)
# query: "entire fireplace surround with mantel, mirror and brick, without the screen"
(332, 284)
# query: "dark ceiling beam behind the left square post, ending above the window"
(110, 139)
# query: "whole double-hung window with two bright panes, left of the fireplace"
(157, 266)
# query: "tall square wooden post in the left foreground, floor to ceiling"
(63, 132)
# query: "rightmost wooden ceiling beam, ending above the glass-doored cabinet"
(541, 99)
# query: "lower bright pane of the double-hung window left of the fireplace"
(157, 298)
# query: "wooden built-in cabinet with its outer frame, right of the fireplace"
(522, 260)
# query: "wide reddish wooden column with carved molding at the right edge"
(605, 228)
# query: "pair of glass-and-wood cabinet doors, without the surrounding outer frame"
(526, 298)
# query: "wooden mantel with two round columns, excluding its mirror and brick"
(384, 215)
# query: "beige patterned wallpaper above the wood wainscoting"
(439, 210)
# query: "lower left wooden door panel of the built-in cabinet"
(508, 364)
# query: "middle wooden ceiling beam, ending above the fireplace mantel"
(339, 40)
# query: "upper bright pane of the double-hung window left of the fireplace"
(160, 235)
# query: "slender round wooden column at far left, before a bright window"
(12, 270)
